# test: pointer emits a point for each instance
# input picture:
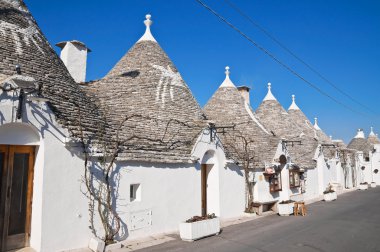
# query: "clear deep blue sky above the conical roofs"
(341, 39)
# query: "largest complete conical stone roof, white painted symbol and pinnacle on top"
(146, 83)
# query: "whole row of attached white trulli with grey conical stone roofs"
(172, 160)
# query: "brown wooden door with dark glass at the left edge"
(16, 189)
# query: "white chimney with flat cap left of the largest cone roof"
(74, 56)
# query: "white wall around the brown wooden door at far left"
(59, 210)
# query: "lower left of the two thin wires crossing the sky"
(278, 61)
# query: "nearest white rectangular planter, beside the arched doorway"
(199, 226)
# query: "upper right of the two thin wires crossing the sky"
(295, 56)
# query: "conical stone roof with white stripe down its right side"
(227, 107)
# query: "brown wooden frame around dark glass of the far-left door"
(6, 190)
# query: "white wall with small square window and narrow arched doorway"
(171, 194)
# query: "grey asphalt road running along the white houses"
(352, 223)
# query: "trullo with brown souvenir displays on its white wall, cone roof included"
(230, 105)
